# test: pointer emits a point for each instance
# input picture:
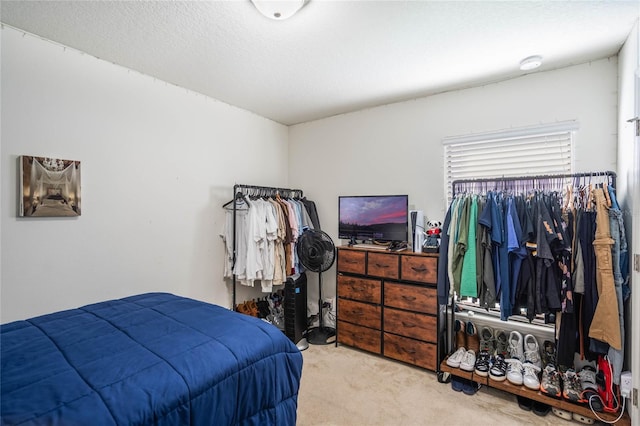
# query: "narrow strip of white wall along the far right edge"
(629, 191)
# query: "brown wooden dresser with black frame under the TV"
(387, 304)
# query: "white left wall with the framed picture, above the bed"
(158, 162)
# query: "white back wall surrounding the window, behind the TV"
(397, 148)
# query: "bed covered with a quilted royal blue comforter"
(153, 358)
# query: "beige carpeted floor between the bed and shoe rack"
(345, 386)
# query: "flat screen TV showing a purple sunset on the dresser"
(379, 218)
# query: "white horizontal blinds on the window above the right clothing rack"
(538, 150)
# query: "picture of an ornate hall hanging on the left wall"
(49, 187)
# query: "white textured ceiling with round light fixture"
(333, 56)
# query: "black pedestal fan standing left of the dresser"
(317, 253)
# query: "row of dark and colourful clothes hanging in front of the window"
(550, 252)
